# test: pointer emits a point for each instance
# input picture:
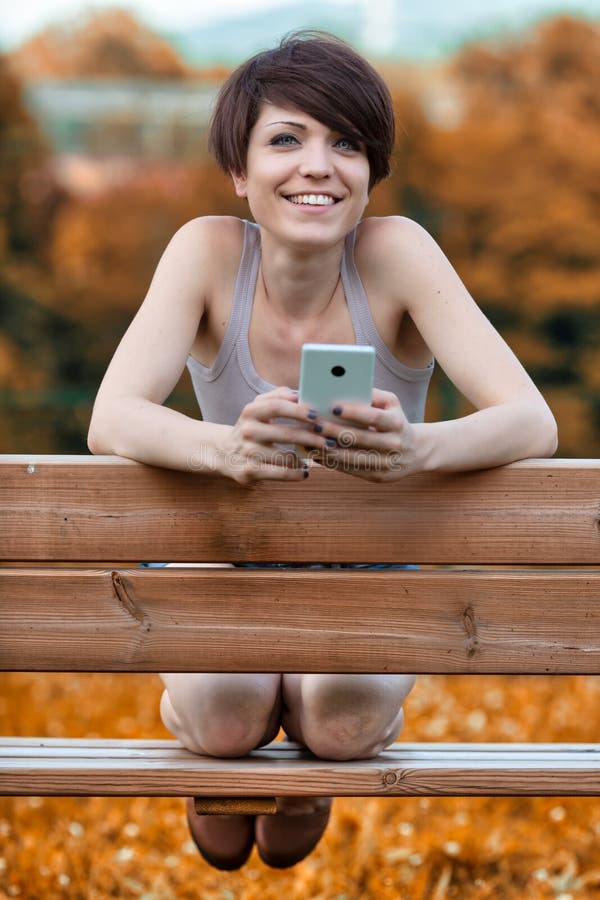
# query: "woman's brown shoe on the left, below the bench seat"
(224, 841)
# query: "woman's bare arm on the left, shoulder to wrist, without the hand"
(128, 418)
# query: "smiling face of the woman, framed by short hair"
(304, 182)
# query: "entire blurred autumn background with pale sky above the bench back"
(103, 117)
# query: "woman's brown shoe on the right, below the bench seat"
(287, 837)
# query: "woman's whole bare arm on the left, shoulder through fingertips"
(128, 417)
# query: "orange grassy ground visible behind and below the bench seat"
(388, 849)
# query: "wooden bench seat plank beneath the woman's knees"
(402, 770)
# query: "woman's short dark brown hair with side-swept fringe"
(319, 74)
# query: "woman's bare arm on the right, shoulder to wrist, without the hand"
(513, 420)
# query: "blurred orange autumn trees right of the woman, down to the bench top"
(512, 192)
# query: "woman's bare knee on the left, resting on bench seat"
(221, 714)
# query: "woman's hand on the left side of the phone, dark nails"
(249, 452)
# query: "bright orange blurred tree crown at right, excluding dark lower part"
(518, 179)
